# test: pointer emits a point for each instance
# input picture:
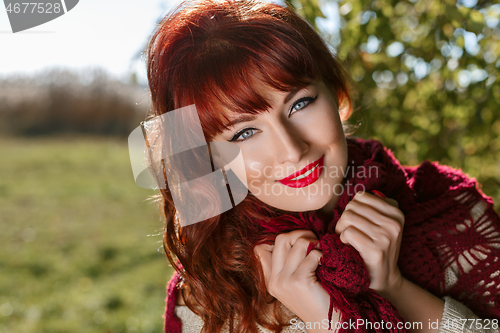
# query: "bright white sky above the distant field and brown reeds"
(107, 34)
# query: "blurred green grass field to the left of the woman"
(80, 244)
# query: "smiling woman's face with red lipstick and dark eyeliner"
(294, 154)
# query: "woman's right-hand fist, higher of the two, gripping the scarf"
(373, 226)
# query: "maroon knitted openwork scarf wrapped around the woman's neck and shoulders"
(450, 245)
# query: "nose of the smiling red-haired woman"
(289, 144)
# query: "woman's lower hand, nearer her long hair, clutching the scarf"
(290, 274)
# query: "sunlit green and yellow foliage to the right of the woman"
(426, 74)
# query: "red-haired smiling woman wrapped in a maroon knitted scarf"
(261, 78)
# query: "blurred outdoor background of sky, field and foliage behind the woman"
(81, 244)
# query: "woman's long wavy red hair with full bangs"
(215, 54)
